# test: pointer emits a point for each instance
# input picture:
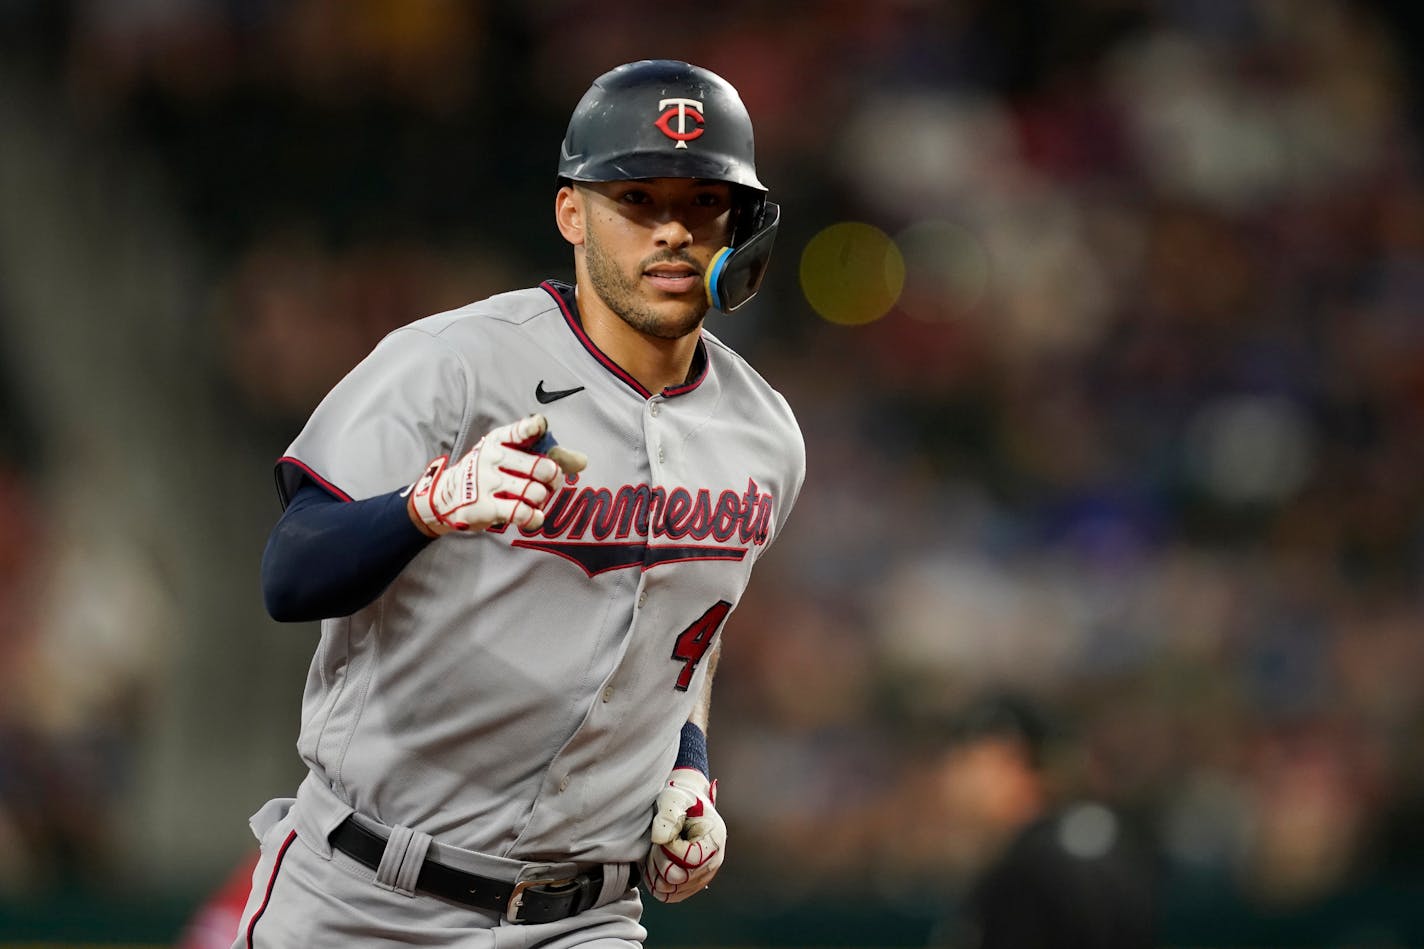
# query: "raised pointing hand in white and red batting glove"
(502, 481)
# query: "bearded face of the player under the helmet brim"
(647, 246)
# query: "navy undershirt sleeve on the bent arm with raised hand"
(331, 558)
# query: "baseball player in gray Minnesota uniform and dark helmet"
(525, 525)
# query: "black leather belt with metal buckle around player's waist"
(535, 901)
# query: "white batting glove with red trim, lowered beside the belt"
(689, 839)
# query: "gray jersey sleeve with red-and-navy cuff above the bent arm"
(409, 401)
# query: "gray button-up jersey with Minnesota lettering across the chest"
(522, 693)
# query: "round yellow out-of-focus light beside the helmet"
(852, 273)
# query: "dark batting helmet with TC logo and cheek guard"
(663, 119)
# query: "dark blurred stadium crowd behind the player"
(1140, 441)
